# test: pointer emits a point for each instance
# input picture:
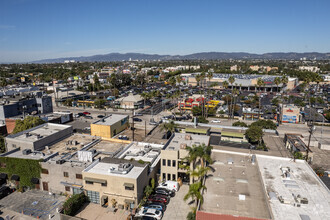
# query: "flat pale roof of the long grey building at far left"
(39, 132)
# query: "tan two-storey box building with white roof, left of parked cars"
(112, 179)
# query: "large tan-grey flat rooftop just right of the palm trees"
(235, 187)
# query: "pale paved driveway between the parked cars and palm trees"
(177, 209)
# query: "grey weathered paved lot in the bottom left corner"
(34, 203)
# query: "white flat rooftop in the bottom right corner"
(300, 180)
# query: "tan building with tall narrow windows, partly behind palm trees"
(174, 153)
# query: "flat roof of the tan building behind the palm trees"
(188, 139)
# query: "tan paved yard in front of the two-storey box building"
(97, 212)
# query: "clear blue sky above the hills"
(40, 29)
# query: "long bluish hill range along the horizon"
(195, 56)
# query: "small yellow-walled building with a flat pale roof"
(109, 126)
